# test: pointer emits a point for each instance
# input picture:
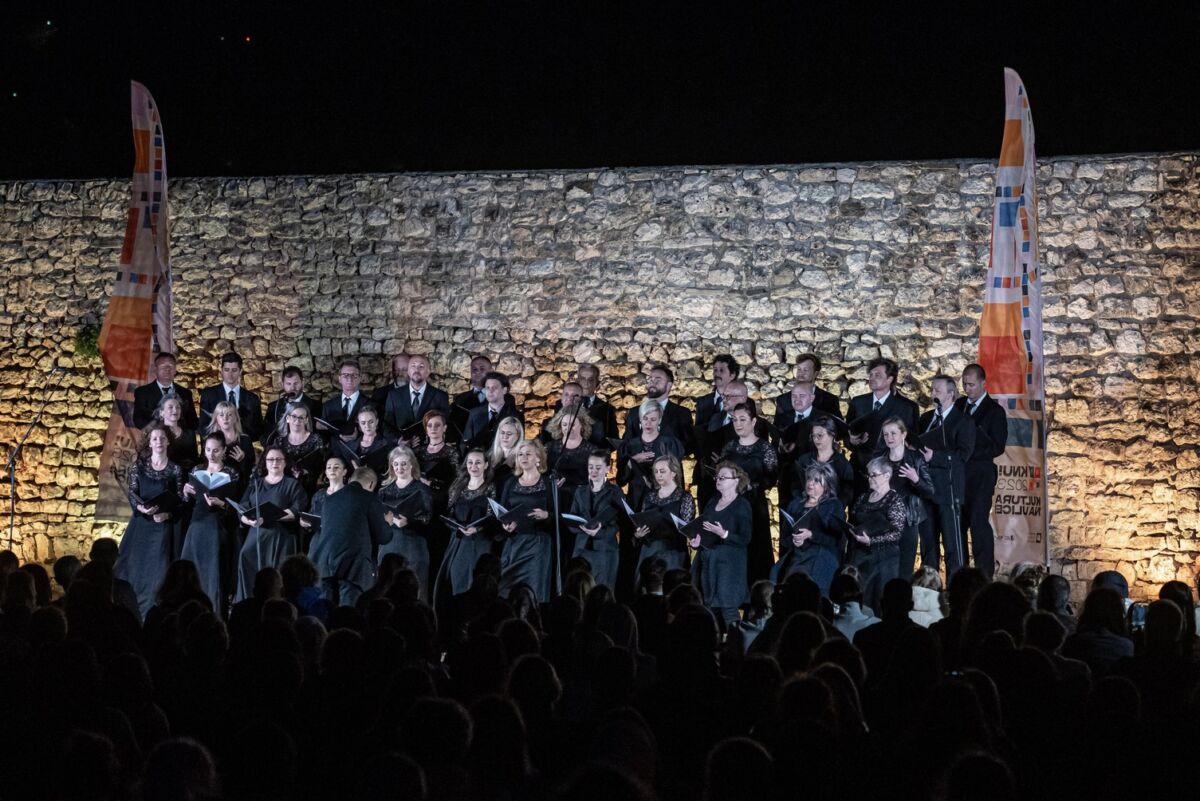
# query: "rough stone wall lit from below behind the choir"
(543, 270)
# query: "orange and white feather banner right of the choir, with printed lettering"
(1011, 339)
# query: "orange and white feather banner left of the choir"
(139, 322)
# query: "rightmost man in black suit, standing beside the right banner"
(992, 436)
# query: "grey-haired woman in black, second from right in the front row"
(814, 544)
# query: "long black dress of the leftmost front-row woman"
(148, 549)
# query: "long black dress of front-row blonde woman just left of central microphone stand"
(529, 556)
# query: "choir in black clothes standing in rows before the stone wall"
(411, 475)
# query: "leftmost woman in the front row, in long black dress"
(149, 544)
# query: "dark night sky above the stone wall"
(478, 85)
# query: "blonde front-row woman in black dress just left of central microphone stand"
(529, 555)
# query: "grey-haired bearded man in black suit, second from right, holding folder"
(947, 439)
